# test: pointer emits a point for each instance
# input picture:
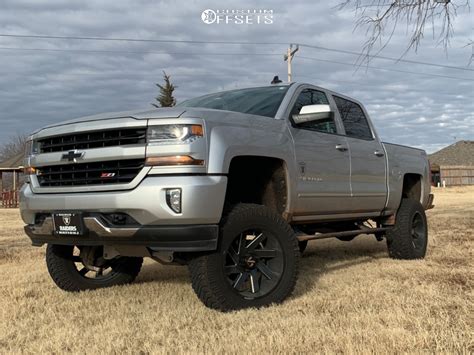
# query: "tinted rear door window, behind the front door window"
(353, 118)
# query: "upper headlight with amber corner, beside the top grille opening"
(174, 134)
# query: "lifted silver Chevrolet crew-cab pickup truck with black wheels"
(232, 184)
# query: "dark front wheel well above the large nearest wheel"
(260, 180)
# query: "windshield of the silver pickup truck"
(262, 101)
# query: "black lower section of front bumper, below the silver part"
(171, 238)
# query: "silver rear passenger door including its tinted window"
(368, 181)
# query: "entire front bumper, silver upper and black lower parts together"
(195, 229)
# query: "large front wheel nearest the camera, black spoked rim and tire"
(255, 265)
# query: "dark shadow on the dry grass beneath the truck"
(321, 257)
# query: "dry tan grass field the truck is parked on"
(350, 298)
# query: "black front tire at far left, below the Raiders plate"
(65, 275)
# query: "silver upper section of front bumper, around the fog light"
(202, 201)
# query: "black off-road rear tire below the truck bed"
(401, 242)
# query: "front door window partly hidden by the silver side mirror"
(314, 97)
